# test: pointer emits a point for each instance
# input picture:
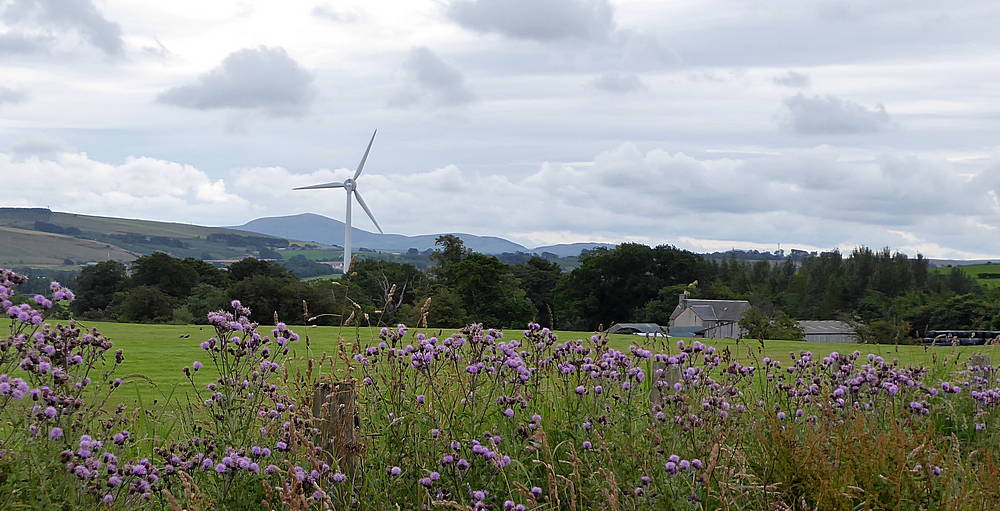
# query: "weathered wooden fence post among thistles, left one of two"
(336, 410)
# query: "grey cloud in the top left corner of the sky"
(81, 16)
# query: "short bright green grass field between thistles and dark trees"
(155, 355)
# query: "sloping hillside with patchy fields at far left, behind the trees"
(39, 237)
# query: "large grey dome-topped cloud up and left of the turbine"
(265, 79)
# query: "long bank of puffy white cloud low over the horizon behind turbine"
(652, 196)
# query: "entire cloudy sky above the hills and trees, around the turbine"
(707, 124)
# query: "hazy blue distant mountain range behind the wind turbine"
(321, 229)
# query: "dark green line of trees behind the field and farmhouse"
(893, 295)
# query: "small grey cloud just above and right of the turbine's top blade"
(434, 81)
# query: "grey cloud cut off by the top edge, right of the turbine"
(540, 20)
